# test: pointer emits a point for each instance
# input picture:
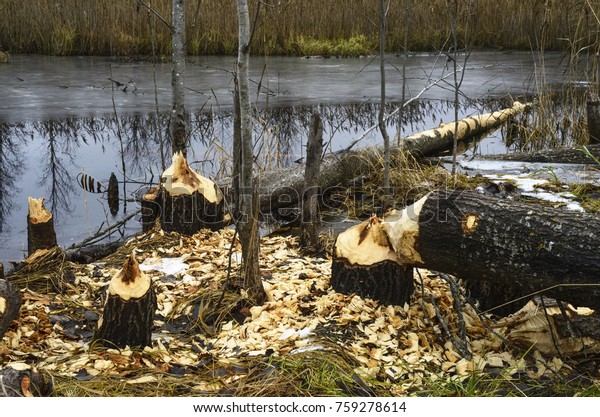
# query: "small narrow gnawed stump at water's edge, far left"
(40, 227)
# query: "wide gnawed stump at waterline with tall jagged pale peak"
(187, 201)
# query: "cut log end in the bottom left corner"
(24, 383)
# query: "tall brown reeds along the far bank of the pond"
(120, 27)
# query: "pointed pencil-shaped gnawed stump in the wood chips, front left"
(128, 315)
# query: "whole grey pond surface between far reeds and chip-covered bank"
(65, 117)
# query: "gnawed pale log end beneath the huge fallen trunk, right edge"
(553, 330)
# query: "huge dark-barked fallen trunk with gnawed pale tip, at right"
(518, 248)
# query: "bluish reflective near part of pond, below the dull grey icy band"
(56, 151)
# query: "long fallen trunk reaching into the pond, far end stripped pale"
(283, 188)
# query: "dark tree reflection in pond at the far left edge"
(11, 168)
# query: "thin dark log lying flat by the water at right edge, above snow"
(554, 156)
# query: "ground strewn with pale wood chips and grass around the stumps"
(306, 340)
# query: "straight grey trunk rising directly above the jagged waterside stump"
(178, 122)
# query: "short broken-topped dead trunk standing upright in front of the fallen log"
(309, 227)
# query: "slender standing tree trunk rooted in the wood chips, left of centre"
(248, 216)
